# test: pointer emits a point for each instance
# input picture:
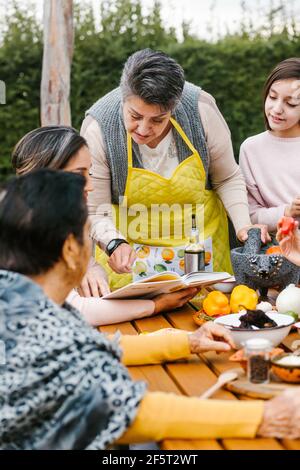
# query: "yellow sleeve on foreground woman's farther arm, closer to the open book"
(154, 349)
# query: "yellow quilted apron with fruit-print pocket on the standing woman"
(142, 221)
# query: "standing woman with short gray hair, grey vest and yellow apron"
(161, 152)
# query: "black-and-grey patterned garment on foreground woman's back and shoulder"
(62, 385)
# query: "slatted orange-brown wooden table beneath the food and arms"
(192, 377)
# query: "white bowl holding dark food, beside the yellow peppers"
(275, 335)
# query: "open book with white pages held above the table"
(164, 283)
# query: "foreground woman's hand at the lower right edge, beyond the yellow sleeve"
(281, 417)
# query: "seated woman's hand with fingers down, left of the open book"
(94, 283)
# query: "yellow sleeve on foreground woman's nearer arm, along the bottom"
(167, 416)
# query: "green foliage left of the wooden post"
(20, 69)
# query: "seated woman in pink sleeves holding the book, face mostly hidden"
(62, 148)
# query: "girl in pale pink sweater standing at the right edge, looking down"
(270, 160)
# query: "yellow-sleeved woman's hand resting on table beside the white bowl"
(210, 337)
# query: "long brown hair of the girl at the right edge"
(289, 68)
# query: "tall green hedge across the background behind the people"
(232, 70)
